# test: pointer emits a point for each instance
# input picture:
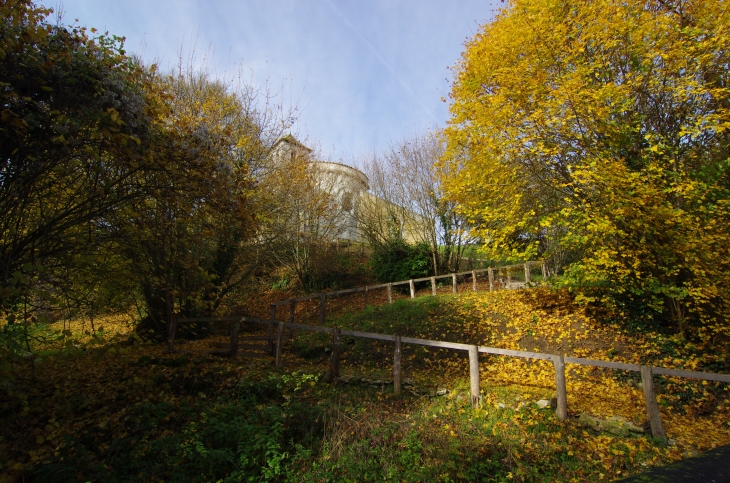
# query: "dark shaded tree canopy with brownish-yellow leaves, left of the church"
(118, 180)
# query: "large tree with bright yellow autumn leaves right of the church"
(599, 129)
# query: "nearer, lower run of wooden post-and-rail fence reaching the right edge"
(558, 361)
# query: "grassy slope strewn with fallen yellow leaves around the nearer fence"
(119, 413)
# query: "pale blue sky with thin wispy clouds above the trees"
(362, 74)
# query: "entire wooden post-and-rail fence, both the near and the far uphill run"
(274, 344)
